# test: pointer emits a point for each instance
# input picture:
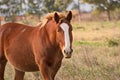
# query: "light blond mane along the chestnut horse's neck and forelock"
(50, 16)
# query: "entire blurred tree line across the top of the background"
(11, 8)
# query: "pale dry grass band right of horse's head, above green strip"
(96, 30)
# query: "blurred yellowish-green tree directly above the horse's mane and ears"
(55, 5)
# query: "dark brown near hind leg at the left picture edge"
(3, 62)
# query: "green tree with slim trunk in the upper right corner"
(105, 5)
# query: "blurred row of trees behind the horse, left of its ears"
(11, 8)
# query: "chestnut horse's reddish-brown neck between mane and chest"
(48, 36)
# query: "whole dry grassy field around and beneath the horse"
(96, 54)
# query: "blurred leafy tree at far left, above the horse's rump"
(10, 8)
